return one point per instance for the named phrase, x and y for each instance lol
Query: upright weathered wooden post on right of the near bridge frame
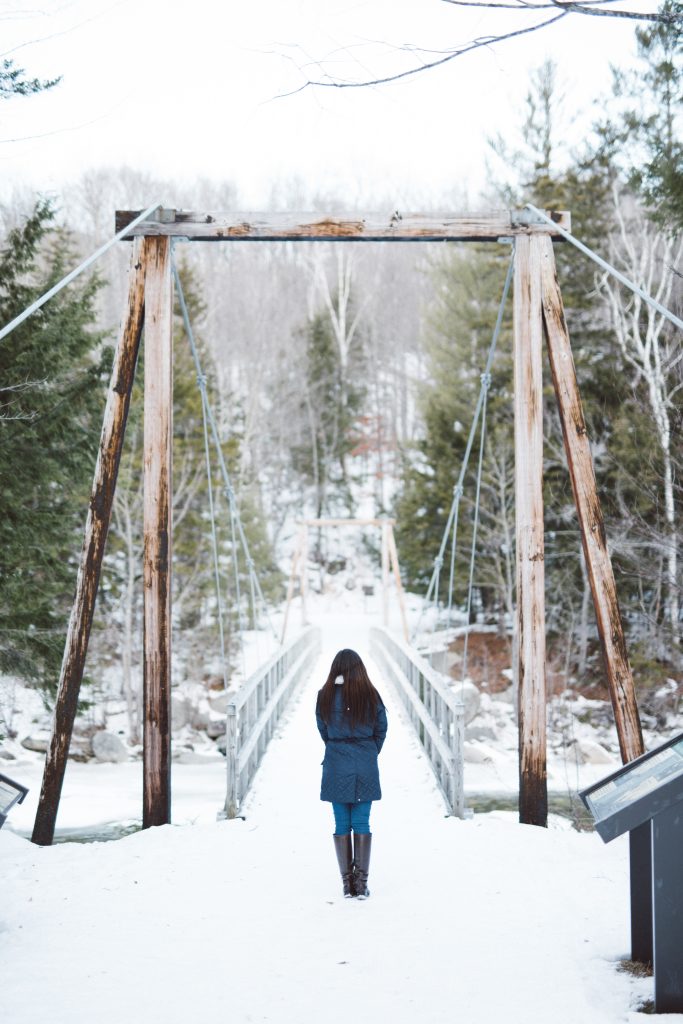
(531, 622)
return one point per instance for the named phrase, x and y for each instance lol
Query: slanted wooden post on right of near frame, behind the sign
(602, 577)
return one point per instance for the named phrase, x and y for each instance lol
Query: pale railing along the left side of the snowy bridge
(257, 709)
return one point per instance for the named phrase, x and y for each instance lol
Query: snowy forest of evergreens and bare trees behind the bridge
(344, 381)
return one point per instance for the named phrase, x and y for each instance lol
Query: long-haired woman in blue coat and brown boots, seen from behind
(353, 722)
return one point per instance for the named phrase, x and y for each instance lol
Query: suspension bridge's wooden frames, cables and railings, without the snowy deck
(538, 314)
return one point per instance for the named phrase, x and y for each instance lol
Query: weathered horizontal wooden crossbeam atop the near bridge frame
(222, 227)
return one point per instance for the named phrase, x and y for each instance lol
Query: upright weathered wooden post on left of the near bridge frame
(157, 557)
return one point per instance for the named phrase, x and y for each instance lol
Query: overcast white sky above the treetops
(187, 89)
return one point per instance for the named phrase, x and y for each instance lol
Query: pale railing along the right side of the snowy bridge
(437, 714)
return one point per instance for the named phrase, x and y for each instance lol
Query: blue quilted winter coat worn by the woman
(350, 770)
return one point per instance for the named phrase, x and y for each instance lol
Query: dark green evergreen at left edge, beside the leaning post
(54, 370)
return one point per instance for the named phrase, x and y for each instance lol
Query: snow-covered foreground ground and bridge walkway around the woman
(473, 922)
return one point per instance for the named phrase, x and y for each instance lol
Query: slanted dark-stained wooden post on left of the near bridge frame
(102, 497)
